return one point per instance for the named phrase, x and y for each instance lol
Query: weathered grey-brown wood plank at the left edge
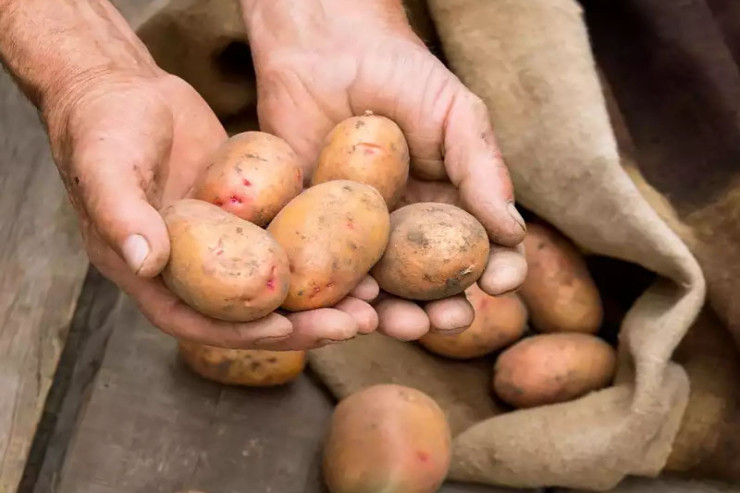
(42, 267)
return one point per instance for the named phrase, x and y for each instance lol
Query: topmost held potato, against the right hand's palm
(368, 149)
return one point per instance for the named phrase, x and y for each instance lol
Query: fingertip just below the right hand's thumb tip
(506, 270)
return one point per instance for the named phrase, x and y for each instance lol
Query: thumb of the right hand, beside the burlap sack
(474, 164)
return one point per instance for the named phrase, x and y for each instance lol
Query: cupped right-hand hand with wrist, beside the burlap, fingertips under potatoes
(328, 60)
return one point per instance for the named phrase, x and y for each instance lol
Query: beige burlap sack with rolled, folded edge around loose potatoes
(532, 63)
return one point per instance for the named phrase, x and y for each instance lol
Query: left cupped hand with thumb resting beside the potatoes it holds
(127, 146)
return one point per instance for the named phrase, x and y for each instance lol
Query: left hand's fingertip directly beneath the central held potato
(315, 328)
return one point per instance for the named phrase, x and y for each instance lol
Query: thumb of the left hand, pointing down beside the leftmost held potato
(115, 201)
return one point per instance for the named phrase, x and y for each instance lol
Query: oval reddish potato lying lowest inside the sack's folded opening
(550, 368)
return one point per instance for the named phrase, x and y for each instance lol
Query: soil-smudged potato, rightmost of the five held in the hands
(434, 251)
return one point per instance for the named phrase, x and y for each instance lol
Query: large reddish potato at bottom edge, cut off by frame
(387, 438)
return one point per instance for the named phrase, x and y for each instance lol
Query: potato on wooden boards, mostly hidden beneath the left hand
(248, 367)
